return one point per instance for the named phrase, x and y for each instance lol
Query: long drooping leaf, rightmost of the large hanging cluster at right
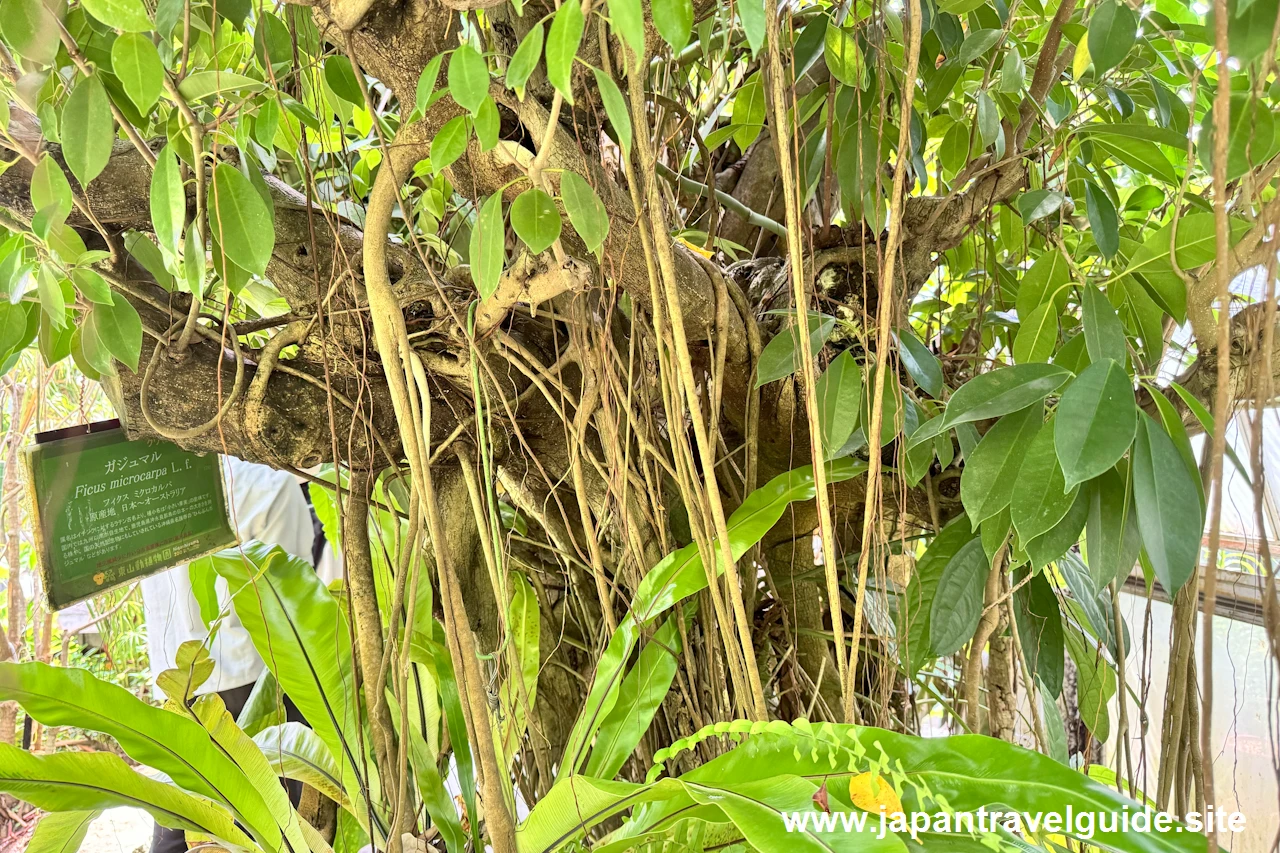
(1169, 507)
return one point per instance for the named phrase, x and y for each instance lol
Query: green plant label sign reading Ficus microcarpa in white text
(109, 510)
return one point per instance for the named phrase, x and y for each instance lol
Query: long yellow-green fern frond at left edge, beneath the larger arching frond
(74, 782)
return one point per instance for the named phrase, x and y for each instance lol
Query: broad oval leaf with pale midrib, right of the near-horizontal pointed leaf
(1098, 421)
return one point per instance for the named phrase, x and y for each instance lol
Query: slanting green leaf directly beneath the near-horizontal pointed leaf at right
(991, 472)
